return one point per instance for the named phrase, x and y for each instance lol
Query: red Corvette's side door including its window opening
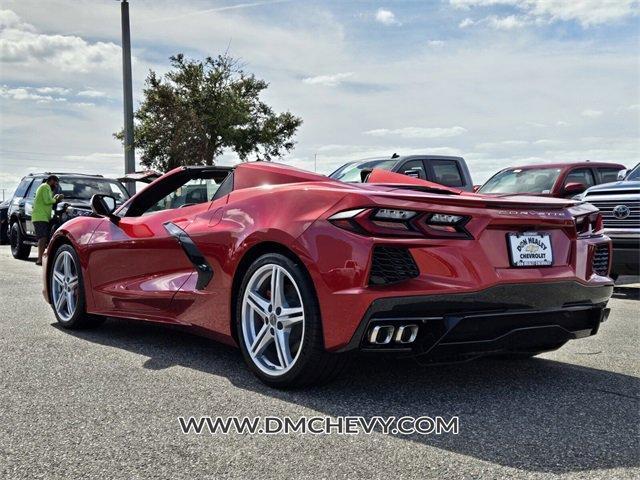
(137, 265)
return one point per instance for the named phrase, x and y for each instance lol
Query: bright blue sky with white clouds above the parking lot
(500, 82)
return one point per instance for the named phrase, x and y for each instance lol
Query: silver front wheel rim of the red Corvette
(64, 285)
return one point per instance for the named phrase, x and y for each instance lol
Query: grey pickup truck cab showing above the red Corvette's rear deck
(448, 171)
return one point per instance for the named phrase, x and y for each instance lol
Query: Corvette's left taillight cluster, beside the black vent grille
(387, 222)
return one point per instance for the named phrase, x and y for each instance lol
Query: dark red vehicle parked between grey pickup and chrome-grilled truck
(563, 180)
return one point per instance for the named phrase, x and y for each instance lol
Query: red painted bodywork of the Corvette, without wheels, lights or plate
(136, 269)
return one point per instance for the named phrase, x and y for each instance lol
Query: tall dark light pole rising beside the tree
(127, 89)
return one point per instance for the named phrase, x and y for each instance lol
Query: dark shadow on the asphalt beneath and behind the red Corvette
(537, 415)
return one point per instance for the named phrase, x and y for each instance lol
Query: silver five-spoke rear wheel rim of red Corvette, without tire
(273, 320)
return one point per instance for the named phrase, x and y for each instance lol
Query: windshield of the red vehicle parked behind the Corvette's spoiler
(518, 180)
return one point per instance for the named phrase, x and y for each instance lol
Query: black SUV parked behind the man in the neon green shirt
(77, 190)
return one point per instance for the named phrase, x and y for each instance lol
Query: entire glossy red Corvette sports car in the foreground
(298, 269)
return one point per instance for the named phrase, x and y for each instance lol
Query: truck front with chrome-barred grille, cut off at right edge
(619, 203)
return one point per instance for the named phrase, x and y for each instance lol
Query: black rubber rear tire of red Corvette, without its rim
(314, 365)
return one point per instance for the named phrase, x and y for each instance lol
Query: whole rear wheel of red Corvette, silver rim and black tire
(279, 325)
